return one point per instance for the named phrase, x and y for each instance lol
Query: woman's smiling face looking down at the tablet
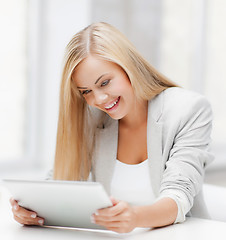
(106, 86)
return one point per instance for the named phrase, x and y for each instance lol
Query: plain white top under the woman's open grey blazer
(131, 183)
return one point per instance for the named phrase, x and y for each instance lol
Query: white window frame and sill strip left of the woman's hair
(51, 24)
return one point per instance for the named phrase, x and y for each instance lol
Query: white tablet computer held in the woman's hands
(61, 203)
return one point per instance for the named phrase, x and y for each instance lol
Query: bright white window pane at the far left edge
(13, 78)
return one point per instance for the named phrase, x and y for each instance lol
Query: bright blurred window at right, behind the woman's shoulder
(193, 54)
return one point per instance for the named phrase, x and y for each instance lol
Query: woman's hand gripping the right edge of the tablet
(121, 217)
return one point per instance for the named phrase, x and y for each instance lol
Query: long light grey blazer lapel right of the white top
(154, 143)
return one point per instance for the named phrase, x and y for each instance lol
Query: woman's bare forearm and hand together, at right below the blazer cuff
(124, 218)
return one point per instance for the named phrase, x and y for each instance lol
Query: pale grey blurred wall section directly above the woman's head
(139, 20)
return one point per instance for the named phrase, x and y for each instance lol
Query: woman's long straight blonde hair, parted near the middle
(76, 131)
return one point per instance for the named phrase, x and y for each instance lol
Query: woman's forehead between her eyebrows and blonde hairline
(91, 68)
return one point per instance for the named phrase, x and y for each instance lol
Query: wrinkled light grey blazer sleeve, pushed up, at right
(184, 170)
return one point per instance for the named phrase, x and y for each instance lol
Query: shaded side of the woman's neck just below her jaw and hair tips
(137, 118)
